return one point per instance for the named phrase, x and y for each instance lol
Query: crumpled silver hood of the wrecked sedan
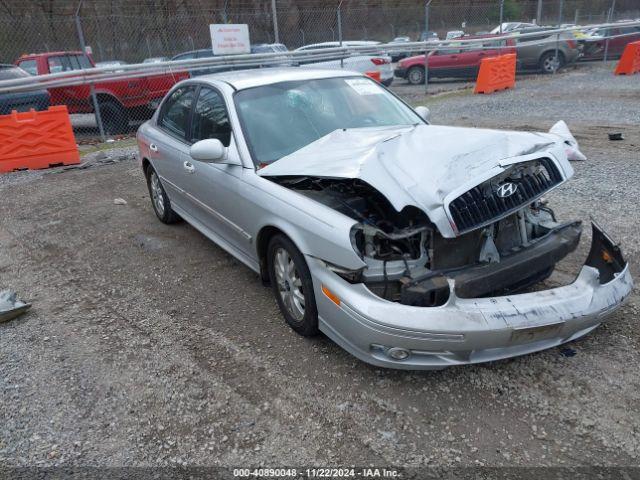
(419, 165)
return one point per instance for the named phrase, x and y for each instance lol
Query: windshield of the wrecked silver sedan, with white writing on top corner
(282, 118)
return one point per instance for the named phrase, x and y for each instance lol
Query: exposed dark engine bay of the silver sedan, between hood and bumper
(410, 262)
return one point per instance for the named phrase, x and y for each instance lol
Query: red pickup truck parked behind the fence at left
(119, 100)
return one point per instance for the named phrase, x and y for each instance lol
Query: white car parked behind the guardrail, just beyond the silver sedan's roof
(356, 62)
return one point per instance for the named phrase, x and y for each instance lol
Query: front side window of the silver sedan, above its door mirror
(210, 119)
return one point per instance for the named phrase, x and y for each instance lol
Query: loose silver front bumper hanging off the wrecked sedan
(466, 331)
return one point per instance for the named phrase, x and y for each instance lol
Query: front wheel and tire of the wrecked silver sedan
(288, 274)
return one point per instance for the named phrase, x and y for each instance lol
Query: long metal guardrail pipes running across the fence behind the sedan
(122, 72)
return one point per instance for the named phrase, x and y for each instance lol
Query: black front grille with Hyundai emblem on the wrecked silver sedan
(481, 205)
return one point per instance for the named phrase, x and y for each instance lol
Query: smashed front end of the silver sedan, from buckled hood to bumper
(451, 248)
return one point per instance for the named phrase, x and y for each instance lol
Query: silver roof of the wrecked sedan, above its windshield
(243, 79)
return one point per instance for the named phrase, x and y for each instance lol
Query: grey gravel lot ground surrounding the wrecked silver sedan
(149, 345)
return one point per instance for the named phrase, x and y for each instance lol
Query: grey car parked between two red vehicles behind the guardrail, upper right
(539, 51)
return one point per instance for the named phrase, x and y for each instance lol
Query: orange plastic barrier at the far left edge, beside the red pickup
(34, 140)
